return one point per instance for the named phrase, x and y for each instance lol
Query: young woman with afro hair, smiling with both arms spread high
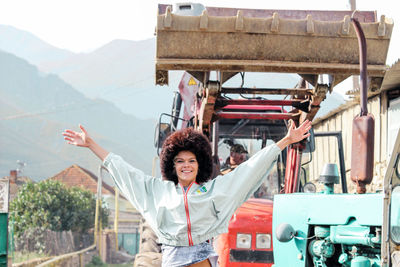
(185, 208)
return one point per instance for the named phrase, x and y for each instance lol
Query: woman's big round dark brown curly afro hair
(186, 140)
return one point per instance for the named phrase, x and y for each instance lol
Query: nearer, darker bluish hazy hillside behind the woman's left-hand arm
(35, 108)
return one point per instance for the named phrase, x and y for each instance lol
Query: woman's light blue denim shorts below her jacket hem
(187, 255)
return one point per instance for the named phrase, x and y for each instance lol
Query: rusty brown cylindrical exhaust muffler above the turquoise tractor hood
(362, 153)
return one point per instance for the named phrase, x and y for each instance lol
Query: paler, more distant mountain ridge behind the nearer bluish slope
(122, 72)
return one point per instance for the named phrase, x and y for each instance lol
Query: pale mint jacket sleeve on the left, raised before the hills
(137, 187)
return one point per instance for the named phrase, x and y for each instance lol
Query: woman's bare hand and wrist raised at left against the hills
(83, 139)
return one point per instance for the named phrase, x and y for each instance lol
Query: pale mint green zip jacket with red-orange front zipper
(188, 218)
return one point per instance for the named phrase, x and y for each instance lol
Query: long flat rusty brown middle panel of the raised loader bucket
(287, 46)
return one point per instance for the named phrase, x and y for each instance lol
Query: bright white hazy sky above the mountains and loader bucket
(84, 25)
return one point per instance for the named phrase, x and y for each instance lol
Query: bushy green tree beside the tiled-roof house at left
(50, 205)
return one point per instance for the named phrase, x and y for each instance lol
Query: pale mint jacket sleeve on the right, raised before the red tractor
(236, 187)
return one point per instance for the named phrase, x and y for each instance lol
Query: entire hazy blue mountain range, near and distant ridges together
(111, 91)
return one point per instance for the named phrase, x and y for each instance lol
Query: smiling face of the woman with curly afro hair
(186, 167)
